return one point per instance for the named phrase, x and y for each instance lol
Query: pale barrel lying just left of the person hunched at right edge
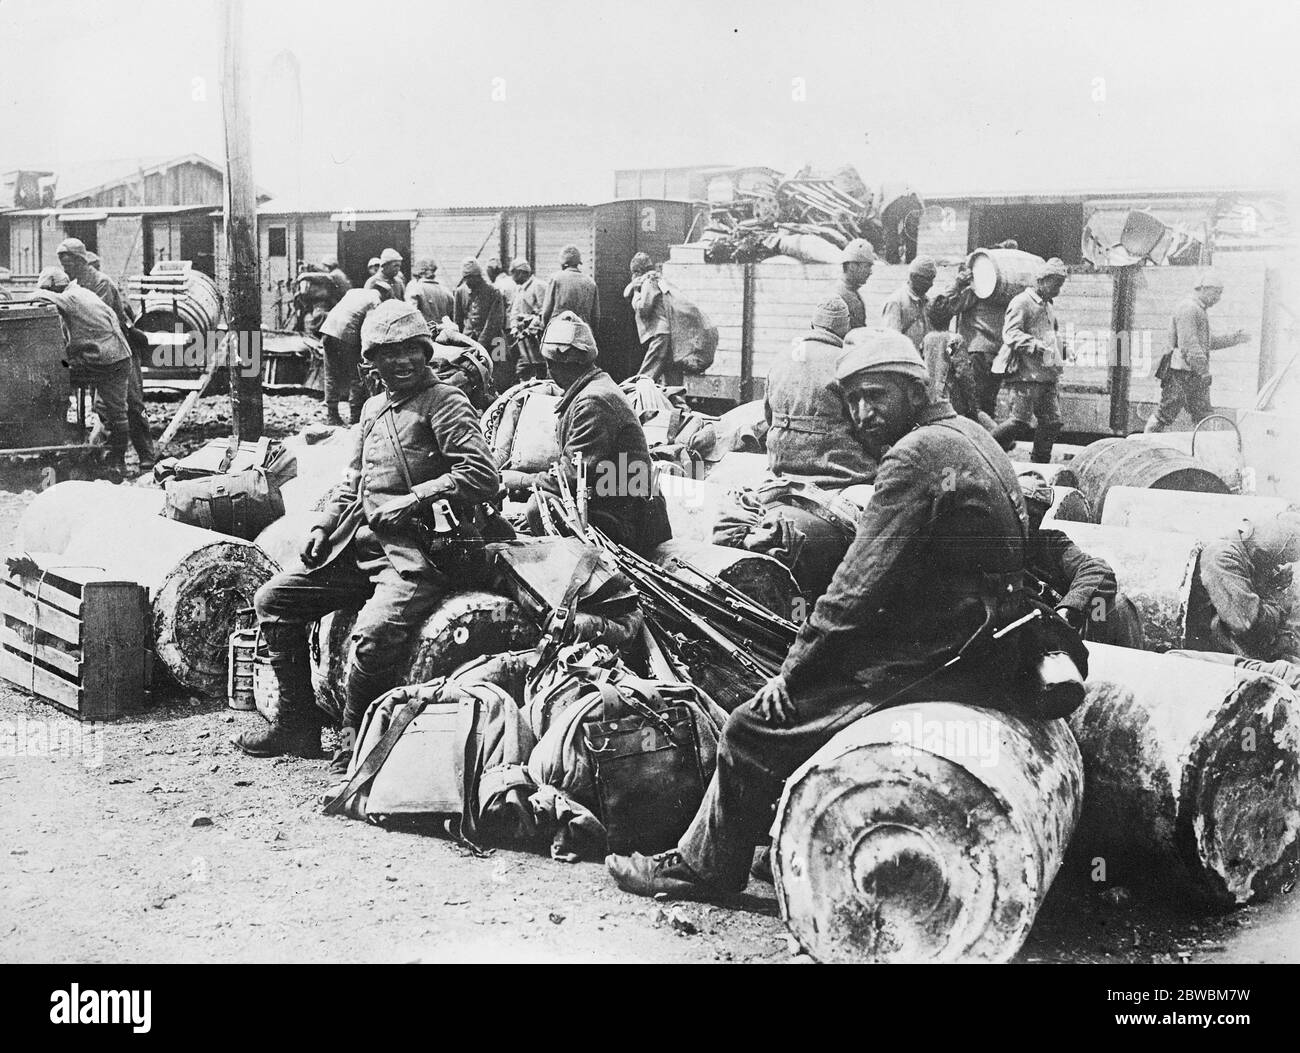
(1155, 570)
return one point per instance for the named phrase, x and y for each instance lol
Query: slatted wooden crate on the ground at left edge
(76, 639)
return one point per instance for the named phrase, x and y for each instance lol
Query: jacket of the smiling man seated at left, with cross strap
(448, 458)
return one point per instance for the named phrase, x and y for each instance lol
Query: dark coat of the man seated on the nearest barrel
(939, 548)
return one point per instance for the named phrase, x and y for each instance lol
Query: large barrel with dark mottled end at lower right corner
(1194, 777)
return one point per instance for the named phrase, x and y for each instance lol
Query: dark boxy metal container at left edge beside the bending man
(34, 392)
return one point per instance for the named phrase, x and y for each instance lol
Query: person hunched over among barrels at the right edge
(1247, 579)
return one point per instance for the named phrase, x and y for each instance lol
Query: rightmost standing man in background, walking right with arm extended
(1185, 371)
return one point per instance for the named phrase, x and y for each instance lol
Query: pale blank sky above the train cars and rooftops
(365, 105)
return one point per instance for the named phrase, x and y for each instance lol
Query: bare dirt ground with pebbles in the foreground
(158, 840)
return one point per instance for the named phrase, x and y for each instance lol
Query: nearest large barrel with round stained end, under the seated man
(926, 834)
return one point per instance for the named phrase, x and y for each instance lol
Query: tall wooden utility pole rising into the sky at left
(242, 292)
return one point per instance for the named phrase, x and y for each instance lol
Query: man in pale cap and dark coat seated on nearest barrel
(937, 567)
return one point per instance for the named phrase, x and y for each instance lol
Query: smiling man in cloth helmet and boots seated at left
(367, 544)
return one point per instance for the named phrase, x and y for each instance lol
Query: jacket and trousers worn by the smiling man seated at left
(385, 567)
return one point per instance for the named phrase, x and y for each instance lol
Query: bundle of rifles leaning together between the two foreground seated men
(707, 631)
